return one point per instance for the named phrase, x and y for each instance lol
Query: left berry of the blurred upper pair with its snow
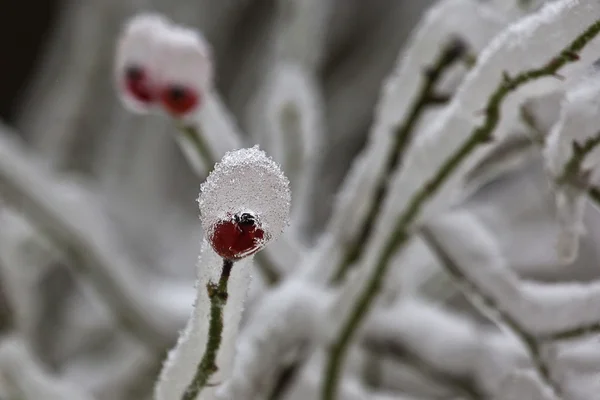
(136, 60)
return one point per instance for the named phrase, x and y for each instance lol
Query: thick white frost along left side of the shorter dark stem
(476, 24)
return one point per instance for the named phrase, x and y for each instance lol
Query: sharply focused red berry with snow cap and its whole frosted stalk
(244, 203)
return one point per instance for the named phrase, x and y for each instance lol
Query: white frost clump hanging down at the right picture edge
(579, 123)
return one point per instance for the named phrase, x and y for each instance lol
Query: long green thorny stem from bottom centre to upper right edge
(481, 135)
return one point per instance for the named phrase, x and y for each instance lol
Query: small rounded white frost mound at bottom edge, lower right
(521, 385)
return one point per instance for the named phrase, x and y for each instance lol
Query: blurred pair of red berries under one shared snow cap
(162, 65)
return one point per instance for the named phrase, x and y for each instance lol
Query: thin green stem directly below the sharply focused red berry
(217, 293)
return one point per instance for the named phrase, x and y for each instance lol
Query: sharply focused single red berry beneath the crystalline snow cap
(237, 237)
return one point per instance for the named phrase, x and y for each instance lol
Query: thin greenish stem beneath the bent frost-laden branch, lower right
(530, 342)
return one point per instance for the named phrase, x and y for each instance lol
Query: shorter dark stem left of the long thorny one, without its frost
(451, 53)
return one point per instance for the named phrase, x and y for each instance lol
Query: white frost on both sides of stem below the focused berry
(181, 363)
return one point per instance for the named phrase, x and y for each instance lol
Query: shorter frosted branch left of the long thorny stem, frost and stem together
(474, 24)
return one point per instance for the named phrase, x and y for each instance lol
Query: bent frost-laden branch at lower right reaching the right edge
(535, 312)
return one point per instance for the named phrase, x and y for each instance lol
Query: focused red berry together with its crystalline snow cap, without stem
(244, 183)
